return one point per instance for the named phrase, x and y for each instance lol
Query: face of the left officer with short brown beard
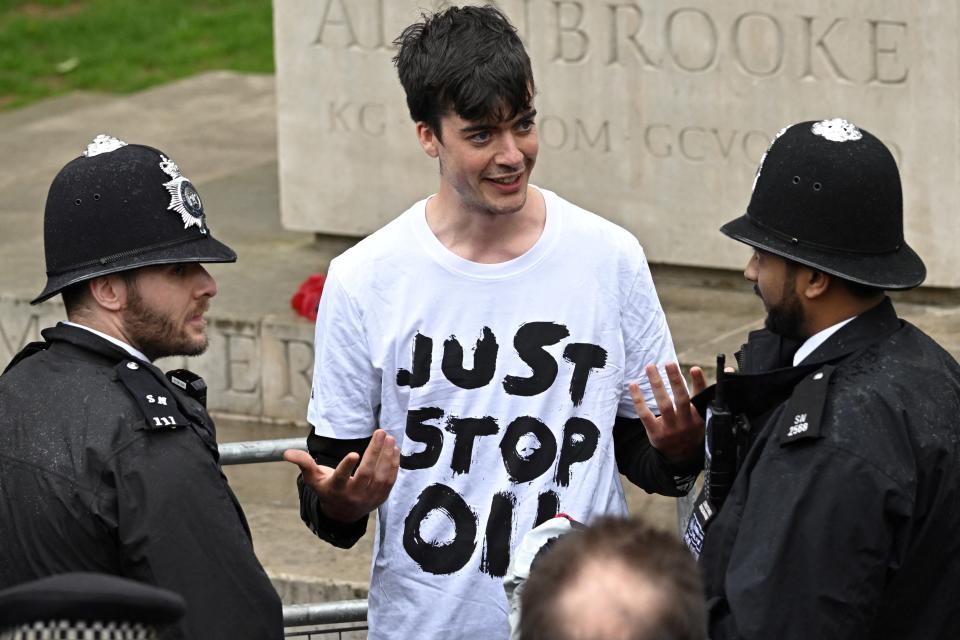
(165, 307)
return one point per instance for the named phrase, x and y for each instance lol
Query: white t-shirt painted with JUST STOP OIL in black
(501, 383)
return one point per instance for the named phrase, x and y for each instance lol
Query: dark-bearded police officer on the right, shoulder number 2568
(843, 520)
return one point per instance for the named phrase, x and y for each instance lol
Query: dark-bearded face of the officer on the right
(774, 282)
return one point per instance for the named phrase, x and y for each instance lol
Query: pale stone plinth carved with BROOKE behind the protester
(653, 114)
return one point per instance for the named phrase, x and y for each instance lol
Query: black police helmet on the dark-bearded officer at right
(827, 195)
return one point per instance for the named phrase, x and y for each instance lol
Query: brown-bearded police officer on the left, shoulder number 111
(106, 464)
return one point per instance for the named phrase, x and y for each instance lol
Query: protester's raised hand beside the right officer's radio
(678, 432)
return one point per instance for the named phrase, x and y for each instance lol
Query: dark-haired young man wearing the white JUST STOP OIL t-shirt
(490, 331)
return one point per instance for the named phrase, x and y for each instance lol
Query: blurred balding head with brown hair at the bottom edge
(618, 579)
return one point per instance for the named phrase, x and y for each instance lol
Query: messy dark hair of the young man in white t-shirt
(466, 59)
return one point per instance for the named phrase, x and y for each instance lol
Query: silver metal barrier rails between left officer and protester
(341, 619)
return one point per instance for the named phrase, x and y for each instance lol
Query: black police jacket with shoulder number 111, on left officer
(105, 466)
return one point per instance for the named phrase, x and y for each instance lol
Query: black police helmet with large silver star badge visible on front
(121, 206)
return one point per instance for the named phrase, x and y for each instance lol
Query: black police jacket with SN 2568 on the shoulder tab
(844, 519)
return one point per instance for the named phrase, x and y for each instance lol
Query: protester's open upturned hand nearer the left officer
(347, 497)
